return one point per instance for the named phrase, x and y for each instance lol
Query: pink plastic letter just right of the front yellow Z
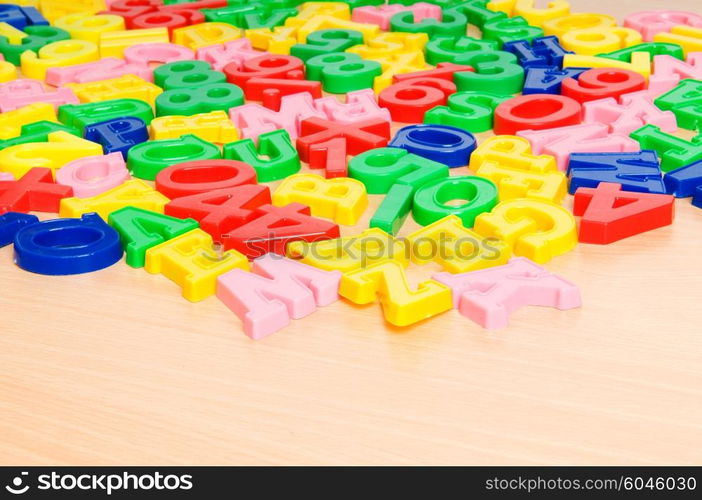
(489, 296)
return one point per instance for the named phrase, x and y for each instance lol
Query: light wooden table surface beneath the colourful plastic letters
(114, 367)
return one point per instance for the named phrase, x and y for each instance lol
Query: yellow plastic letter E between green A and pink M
(191, 261)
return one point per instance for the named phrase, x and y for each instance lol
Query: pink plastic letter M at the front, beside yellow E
(281, 289)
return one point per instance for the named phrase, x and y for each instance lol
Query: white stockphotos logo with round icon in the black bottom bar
(105, 483)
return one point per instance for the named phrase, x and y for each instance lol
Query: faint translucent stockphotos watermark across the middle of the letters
(368, 249)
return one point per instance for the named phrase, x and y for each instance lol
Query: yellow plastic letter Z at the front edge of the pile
(387, 282)
